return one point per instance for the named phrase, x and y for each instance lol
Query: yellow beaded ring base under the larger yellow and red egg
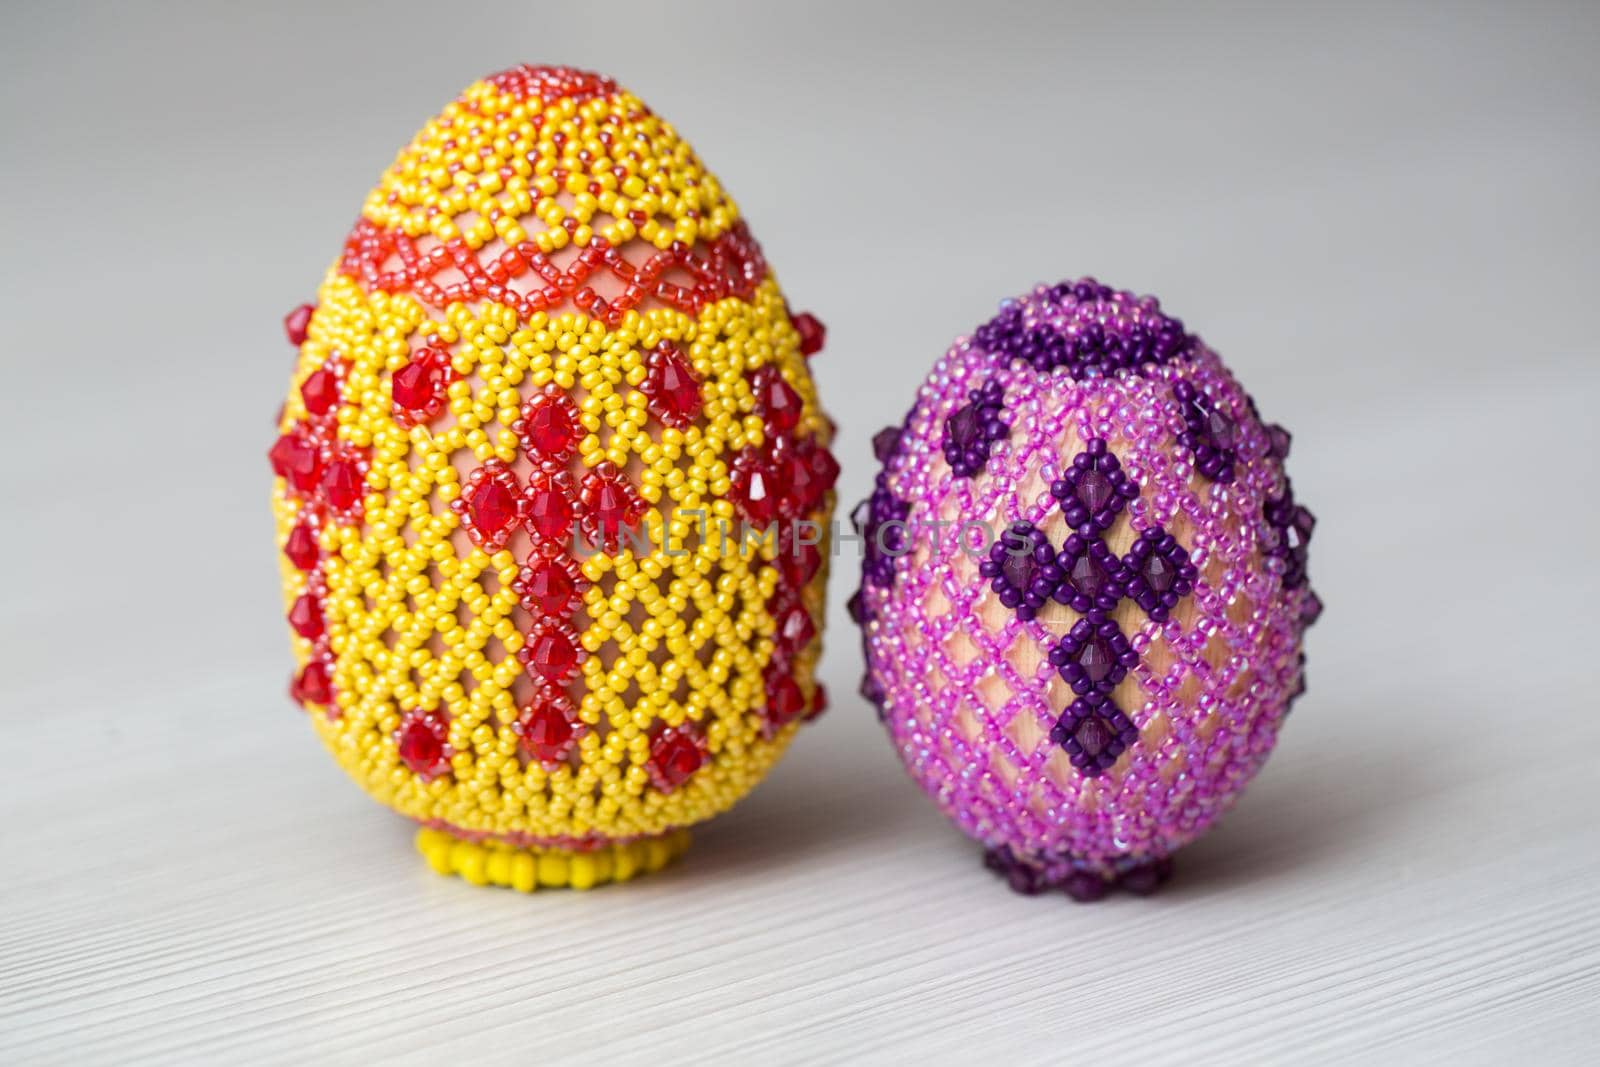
(529, 869)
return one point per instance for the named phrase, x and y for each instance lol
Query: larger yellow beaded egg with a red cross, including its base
(553, 490)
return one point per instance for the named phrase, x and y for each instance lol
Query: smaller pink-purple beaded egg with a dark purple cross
(1084, 589)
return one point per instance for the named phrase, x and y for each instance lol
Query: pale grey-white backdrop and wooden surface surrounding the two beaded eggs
(1383, 217)
